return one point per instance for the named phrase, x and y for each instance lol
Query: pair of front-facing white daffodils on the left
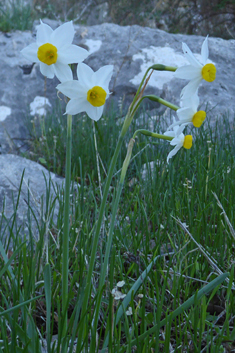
(54, 52)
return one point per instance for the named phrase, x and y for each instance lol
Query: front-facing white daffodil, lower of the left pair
(88, 93)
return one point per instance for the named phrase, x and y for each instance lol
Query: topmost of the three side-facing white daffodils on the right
(195, 72)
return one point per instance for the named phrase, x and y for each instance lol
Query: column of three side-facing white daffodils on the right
(188, 113)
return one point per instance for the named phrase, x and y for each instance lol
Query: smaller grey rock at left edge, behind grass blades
(24, 196)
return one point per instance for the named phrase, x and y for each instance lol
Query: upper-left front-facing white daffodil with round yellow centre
(54, 50)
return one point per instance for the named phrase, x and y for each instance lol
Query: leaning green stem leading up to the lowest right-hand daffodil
(110, 238)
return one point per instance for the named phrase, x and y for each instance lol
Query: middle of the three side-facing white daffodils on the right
(188, 113)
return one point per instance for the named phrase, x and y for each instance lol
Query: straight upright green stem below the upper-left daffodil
(65, 249)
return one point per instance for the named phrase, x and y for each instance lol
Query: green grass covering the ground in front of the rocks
(145, 229)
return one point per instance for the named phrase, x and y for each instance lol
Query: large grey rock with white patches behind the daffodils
(131, 50)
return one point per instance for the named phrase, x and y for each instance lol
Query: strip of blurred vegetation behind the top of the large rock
(176, 16)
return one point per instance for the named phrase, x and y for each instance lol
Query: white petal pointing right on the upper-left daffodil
(73, 54)
